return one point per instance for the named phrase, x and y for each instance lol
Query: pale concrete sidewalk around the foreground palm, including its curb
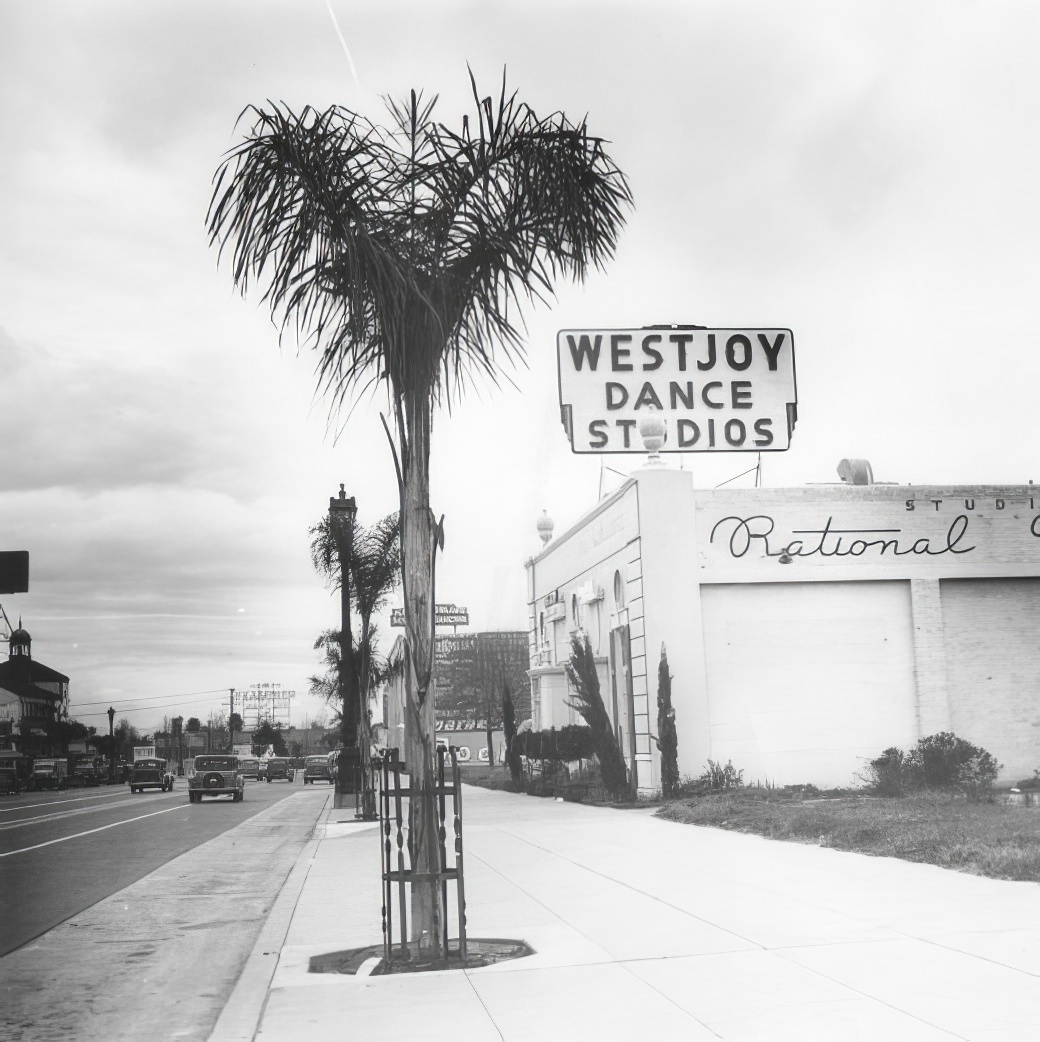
(642, 926)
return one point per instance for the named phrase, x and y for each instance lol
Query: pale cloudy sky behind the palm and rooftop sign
(863, 173)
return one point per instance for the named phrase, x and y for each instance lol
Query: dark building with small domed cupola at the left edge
(34, 699)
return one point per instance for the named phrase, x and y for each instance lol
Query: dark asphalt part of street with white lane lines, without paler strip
(62, 853)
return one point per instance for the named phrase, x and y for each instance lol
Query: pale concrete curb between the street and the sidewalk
(240, 1020)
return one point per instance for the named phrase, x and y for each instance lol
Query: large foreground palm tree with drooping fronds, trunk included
(401, 256)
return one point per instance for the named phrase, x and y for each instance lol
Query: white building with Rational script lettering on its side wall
(807, 630)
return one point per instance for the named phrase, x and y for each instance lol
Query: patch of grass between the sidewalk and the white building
(988, 838)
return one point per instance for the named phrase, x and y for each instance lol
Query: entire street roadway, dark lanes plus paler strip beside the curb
(159, 958)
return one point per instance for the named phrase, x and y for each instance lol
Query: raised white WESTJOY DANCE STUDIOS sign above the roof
(717, 390)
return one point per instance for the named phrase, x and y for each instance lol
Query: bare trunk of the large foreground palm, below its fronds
(418, 548)
